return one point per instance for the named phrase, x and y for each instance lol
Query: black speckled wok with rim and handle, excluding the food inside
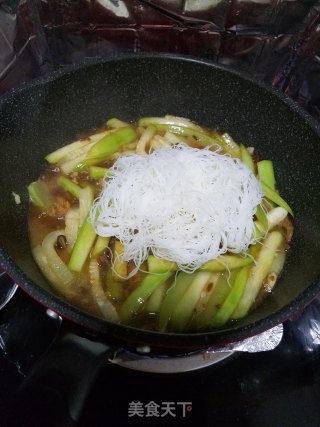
(42, 115)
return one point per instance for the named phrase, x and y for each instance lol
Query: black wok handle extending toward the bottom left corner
(54, 391)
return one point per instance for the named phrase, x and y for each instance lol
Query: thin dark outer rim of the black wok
(194, 340)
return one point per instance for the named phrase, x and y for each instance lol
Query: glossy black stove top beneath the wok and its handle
(275, 388)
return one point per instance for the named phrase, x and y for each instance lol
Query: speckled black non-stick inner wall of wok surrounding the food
(47, 113)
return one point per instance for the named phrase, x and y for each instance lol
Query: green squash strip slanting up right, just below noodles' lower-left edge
(137, 298)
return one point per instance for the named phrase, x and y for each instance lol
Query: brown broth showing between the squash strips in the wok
(41, 223)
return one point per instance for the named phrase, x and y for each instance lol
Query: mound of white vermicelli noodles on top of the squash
(182, 204)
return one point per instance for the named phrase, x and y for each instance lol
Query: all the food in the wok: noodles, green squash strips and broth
(160, 224)
